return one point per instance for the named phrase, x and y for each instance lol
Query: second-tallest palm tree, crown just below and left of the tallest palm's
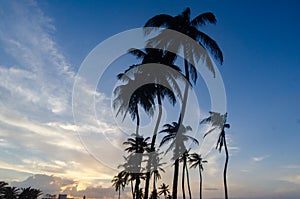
(164, 79)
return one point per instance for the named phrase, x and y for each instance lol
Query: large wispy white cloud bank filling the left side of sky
(37, 128)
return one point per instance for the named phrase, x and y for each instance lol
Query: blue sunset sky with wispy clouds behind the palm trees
(49, 142)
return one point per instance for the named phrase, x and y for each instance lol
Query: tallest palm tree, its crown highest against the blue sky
(184, 24)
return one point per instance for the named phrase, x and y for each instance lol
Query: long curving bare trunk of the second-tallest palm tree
(153, 144)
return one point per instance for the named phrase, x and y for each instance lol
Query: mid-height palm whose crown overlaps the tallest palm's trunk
(176, 134)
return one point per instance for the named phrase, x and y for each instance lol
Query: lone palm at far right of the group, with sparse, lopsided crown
(218, 122)
